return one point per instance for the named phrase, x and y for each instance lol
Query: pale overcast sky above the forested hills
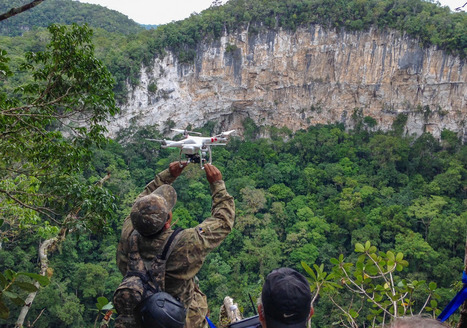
(164, 11)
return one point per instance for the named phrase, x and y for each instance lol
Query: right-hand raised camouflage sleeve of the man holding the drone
(196, 243)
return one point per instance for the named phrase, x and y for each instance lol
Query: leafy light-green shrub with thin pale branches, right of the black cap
(375, 278)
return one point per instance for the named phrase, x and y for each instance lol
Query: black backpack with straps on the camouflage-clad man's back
(140, 284)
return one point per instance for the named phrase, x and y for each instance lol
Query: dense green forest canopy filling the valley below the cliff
(308, 199)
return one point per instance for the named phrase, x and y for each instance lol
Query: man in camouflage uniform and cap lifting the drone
(152, 218)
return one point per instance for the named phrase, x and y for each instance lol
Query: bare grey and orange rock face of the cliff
(297, 79)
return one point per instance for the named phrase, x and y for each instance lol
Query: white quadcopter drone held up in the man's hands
(196, 147)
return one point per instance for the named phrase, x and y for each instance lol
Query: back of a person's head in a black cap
(285, 300)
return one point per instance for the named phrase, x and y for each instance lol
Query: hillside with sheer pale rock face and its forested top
(389, 63)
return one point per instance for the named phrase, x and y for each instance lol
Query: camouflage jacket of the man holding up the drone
(190, 250)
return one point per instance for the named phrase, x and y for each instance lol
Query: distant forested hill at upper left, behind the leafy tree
(65, 12)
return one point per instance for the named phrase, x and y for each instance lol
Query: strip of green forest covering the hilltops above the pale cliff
(123, 45)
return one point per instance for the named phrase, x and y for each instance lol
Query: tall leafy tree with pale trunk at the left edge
(48, 127)
